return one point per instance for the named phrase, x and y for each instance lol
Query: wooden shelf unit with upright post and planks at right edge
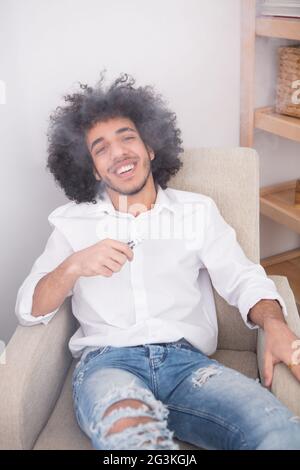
(277, 201)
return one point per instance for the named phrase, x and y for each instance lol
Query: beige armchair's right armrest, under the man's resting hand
(284, 385)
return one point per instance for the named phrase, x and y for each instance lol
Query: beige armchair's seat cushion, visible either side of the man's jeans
(63, 433)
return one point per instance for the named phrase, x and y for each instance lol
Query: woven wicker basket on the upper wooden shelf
(288, 82)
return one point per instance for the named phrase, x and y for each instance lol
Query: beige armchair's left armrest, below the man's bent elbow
(36, 361)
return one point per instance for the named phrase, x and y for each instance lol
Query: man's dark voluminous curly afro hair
(68, 157)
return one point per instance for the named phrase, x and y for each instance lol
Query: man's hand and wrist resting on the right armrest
(281, 344)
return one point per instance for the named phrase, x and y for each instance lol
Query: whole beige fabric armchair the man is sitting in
(36, 410)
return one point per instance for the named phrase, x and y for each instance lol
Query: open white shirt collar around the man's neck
(162, 201)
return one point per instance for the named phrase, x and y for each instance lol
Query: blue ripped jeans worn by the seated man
(184, 394)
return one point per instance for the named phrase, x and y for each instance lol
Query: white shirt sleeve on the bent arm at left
(57, 249)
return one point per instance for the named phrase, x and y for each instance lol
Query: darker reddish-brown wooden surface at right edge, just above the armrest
(286, 264)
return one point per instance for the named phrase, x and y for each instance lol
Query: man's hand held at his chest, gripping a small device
(104, 258)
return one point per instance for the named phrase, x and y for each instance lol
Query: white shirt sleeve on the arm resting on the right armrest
(238, 280)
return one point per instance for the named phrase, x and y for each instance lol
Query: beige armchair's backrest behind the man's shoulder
(230, 176)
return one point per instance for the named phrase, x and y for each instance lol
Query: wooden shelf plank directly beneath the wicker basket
(284, 126)
